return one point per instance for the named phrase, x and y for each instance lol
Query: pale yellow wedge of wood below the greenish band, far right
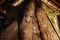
(54, 21)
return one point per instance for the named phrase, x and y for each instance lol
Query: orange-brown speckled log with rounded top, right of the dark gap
(46, 28)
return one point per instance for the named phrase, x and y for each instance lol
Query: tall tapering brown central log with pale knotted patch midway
(27, 22)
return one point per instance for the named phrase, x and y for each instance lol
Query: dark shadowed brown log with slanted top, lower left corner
(10, 32)
